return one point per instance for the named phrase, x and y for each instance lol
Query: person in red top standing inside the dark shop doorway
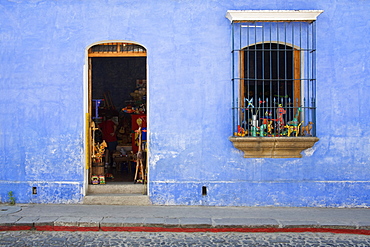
(108, 128)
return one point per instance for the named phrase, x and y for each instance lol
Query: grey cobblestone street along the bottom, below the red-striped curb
(42, 238)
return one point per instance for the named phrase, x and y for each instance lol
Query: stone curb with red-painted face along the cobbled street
(181, 224)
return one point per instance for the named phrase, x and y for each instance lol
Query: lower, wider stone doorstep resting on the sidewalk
(117, 199)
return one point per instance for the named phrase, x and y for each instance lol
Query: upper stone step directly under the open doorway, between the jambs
(116, 188)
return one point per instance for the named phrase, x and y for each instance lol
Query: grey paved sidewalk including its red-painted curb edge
(182, 218)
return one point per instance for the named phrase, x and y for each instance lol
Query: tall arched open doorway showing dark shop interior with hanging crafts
(117, 113)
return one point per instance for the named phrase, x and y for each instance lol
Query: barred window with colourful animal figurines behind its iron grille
(274, 78)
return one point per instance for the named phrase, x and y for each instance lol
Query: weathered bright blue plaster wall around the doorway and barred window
(42, 57)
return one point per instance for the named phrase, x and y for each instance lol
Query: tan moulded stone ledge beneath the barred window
(273, 147)
